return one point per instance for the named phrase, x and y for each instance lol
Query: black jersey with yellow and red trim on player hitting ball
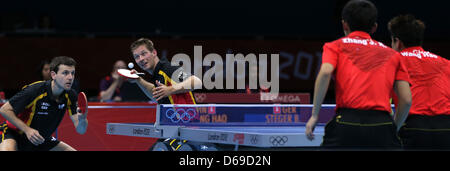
(169, 75)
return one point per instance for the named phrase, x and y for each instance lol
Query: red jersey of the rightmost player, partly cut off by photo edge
(430, 81)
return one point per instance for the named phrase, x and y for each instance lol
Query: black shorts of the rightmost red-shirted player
(426, 132)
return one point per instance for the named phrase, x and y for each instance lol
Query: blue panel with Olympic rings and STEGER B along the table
(219, 115)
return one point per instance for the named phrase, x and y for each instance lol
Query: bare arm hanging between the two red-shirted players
(403, 92)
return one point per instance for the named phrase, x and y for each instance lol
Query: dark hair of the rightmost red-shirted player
(408, 29)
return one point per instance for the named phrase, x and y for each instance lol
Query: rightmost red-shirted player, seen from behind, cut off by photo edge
(428, 123)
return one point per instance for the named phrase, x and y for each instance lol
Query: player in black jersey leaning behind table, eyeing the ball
(167, 84)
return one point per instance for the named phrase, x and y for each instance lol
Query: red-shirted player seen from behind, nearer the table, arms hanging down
(366, 71)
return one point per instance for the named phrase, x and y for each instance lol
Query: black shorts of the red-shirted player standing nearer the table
(361, 129)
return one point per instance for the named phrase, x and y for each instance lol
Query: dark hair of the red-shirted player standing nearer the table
(360, 15)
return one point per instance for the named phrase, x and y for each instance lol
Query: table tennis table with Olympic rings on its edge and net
(206, 127)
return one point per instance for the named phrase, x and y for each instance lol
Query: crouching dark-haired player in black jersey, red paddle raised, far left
(36, 111)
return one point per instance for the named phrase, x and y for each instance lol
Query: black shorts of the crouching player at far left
(23, 144)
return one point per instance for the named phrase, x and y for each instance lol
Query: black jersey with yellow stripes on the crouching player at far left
(37, 108)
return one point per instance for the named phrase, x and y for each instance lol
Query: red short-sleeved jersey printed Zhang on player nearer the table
(365, 71)
